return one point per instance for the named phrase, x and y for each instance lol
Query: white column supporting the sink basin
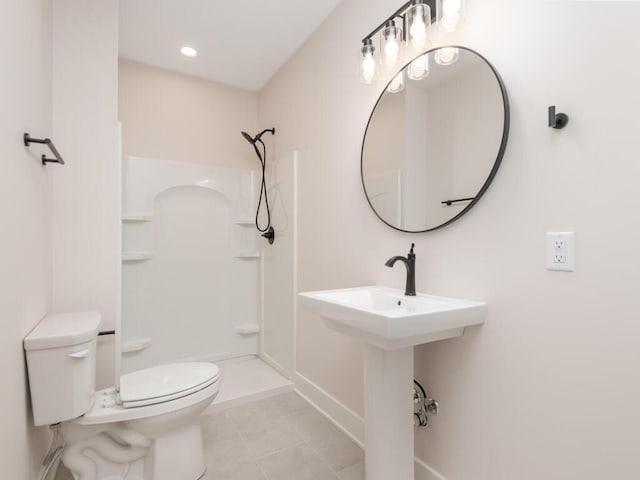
(388, 412)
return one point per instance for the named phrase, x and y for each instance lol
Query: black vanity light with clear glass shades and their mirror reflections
(416, 18)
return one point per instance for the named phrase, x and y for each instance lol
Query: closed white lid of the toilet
(165, 382)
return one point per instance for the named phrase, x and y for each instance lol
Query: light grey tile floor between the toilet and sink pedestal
(278, 438)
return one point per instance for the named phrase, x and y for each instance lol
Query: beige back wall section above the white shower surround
(172, 116)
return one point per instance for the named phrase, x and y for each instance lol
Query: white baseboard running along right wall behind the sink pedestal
(348, 421)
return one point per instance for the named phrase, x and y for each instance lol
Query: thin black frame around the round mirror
(496, 165)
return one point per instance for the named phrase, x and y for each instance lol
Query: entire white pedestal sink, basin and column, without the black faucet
(391, 324)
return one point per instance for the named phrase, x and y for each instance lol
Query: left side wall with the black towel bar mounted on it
(25, 210)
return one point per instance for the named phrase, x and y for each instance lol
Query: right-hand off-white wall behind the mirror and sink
(548, 387)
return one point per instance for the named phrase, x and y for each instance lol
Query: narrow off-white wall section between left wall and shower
(86, 193)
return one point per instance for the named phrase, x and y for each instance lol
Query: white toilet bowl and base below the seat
(161, 441)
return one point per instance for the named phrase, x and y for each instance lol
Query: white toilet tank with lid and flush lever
(61, 363)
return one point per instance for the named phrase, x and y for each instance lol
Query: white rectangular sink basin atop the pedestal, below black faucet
(388, 319)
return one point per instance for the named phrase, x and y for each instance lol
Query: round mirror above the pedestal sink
(435, 139)
